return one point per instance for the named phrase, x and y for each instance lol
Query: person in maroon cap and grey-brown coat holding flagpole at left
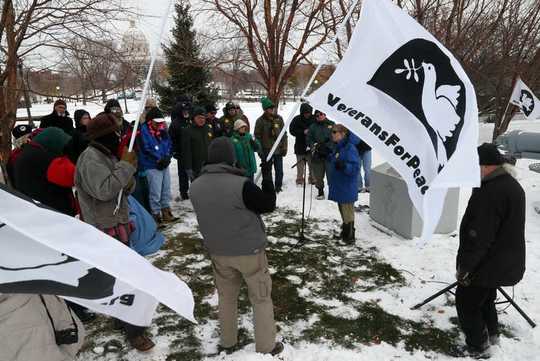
(99, 178)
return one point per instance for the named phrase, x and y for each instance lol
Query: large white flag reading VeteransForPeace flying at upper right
(405, 94)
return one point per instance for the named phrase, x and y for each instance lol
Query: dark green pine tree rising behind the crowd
(188, 73)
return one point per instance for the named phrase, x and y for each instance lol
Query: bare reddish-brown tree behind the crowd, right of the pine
(278, 34)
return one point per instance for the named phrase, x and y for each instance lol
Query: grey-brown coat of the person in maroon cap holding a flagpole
(99, 179)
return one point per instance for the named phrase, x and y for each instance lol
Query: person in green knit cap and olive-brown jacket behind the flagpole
(267, 129)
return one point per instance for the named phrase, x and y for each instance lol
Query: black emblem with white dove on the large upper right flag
(420, 77)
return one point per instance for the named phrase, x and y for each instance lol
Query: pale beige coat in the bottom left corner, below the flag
(27, 333)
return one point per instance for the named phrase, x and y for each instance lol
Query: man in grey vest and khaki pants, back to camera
(228, 207)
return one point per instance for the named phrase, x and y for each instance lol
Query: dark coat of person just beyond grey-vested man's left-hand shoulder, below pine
(195, 142)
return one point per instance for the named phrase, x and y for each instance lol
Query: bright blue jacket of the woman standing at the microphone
(343, 183)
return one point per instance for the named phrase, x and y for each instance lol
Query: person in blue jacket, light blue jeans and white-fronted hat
(155, 153)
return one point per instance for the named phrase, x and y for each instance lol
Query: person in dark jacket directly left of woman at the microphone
(319, 140)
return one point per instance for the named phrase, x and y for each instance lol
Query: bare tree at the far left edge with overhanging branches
(30, 25)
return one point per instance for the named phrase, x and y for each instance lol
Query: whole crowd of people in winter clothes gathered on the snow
(217, 156)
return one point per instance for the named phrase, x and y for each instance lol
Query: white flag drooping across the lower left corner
(45, 252)
